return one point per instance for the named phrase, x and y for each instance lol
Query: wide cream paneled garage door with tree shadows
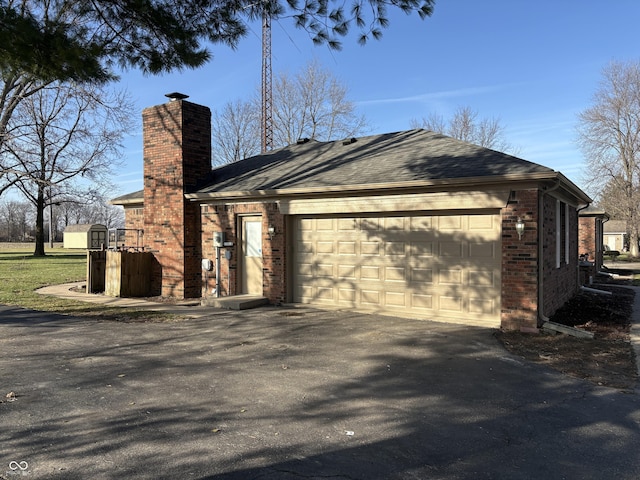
(438, 267)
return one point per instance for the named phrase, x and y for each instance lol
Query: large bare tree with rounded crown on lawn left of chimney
(61, 138)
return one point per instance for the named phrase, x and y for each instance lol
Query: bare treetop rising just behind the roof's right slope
(465, 125)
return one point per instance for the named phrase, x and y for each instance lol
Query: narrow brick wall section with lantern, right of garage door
(520, 262)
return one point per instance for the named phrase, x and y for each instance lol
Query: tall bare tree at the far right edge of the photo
(609, 137)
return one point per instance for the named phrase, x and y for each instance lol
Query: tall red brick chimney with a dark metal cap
(177, 155)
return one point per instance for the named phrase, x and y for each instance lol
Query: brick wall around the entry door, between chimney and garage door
(226, 218)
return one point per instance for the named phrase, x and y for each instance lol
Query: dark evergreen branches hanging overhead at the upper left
(83, 40)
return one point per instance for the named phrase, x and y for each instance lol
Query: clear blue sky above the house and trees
(532, 65)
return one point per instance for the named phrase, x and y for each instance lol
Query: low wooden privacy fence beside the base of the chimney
(123, 274)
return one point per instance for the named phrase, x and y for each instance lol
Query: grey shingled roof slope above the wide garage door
(414, 155)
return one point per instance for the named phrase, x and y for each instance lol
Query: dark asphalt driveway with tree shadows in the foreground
(277, 393)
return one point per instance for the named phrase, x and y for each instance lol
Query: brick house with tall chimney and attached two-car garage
(412, 224)
